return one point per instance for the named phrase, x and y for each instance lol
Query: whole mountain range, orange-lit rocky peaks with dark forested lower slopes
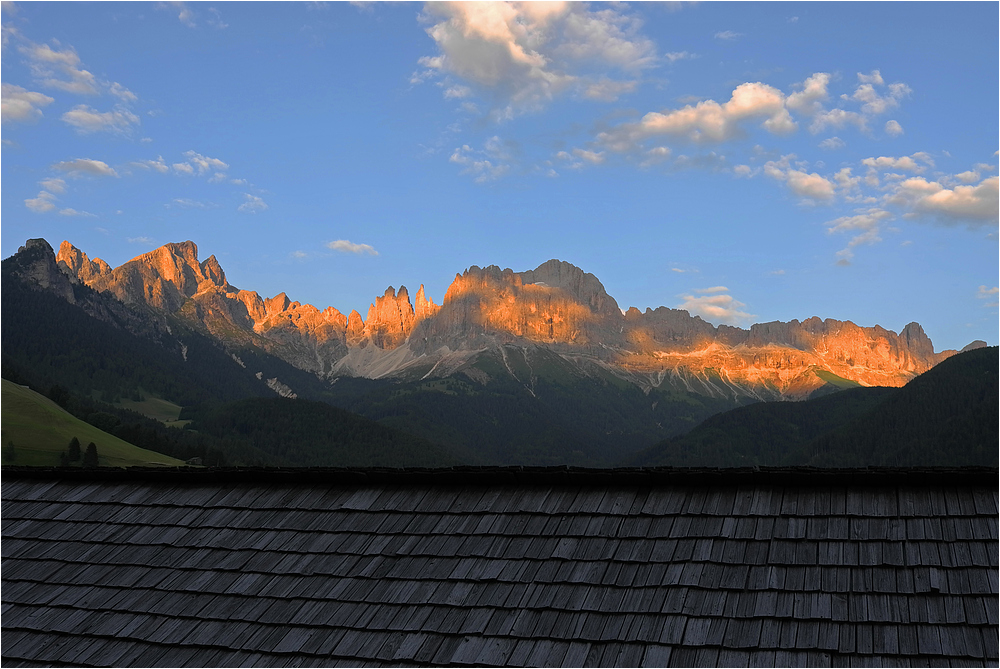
(533, 367)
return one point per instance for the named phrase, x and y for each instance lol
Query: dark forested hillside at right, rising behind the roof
(946, 416)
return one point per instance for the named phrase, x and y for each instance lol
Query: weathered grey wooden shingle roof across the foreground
(505, 567)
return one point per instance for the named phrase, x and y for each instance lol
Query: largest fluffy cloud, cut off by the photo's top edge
(528, 53)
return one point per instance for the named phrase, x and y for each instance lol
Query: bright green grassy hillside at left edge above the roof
(35, 431)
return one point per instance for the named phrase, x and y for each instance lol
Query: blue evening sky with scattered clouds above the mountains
(749, 162)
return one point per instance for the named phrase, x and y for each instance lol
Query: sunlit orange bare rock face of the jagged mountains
(556, 305)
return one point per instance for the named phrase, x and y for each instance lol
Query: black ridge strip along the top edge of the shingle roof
(518, 476)
